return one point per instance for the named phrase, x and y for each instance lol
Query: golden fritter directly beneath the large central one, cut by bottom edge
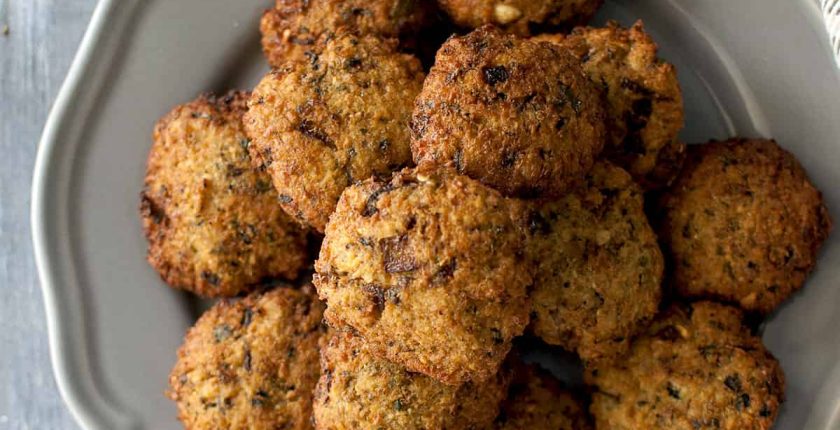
(358, 390)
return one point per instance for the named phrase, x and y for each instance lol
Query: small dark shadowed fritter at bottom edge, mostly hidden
(536, 400)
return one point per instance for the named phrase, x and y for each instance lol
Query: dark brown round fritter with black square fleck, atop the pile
(517, 115)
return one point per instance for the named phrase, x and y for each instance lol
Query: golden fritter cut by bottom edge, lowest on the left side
(251, 363)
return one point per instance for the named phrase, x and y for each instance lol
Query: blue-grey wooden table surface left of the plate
(38, 39)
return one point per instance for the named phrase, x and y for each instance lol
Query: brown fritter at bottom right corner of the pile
(697, 367)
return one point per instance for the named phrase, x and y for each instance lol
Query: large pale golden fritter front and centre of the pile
(429, 269)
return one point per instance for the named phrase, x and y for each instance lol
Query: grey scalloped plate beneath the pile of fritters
(748, 67)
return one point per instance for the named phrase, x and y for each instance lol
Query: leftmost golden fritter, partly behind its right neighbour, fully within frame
(213, 222)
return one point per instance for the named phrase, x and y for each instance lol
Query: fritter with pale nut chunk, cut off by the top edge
(522, 17)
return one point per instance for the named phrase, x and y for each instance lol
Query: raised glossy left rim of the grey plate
(84, 397)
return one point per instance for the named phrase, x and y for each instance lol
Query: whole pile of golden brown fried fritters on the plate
(500, 194)
